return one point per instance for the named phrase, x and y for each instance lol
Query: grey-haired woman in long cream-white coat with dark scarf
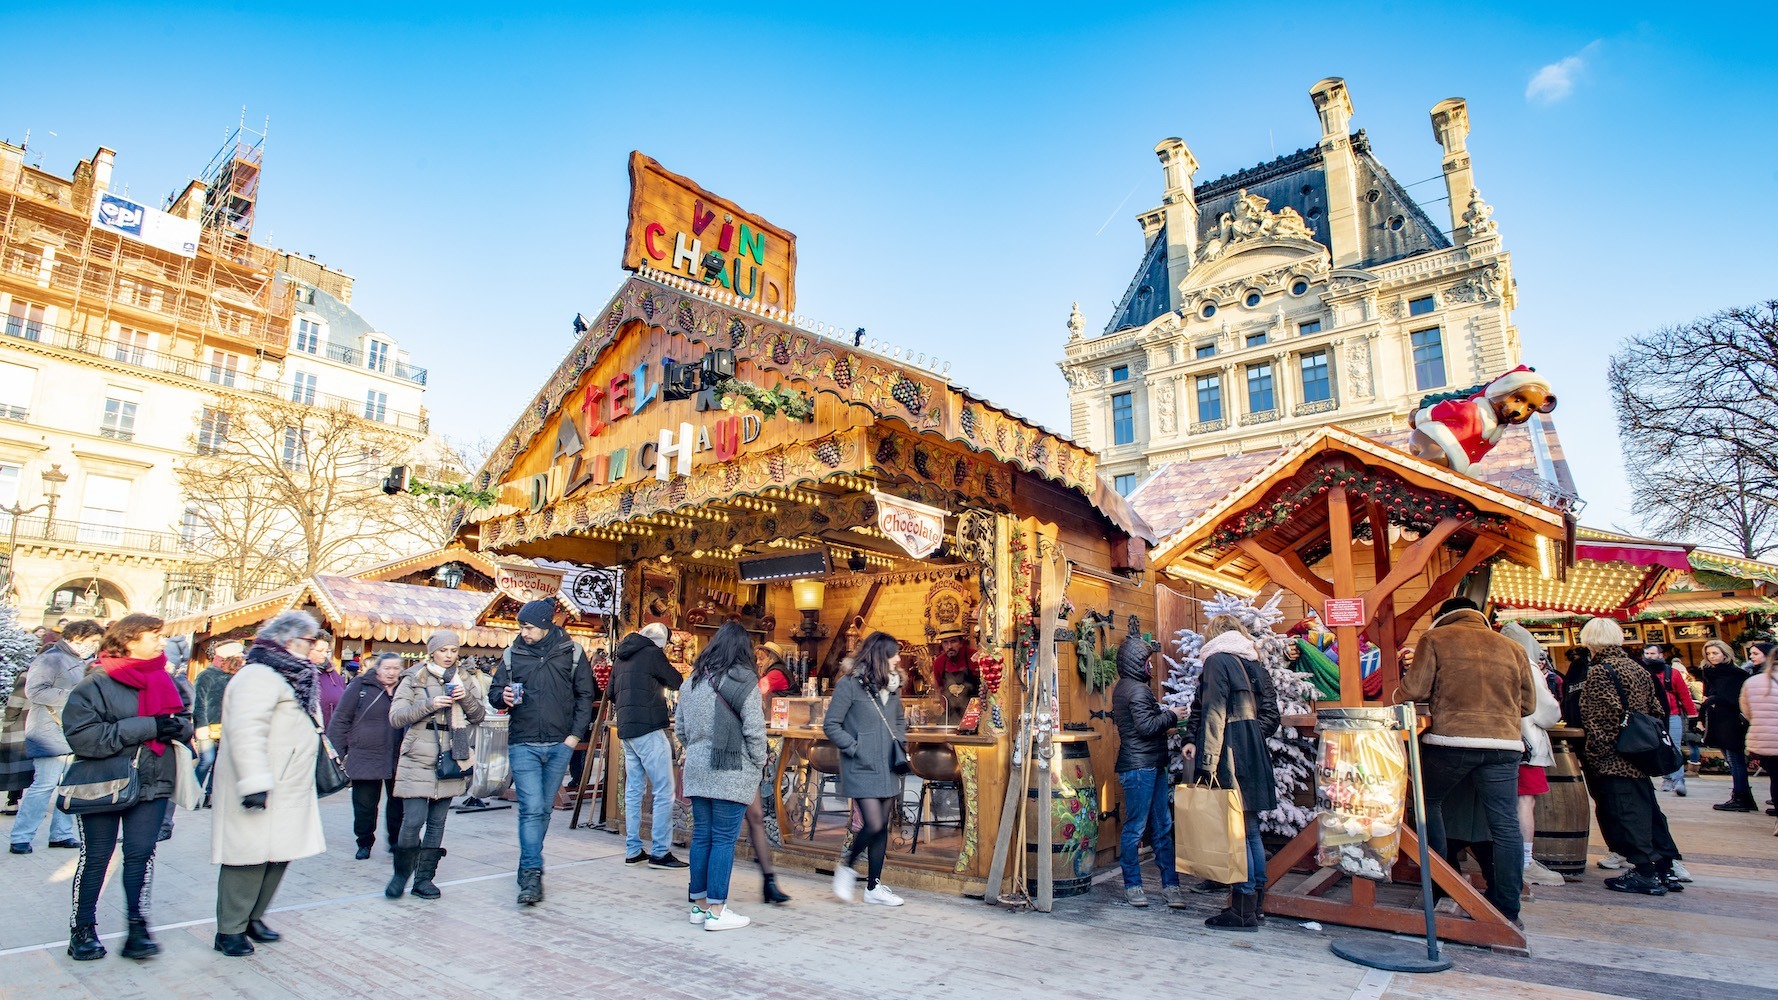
(264, 802)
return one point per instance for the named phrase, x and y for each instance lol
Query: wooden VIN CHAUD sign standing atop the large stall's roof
(677, 225)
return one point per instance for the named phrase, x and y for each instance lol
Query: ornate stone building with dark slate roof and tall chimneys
(1306, 291)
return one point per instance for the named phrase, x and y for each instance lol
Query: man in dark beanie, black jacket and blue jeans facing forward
(545, 684)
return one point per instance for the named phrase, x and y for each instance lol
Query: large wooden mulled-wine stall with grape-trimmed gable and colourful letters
(739, 467)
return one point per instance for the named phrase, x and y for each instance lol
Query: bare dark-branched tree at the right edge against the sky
(1697, 412)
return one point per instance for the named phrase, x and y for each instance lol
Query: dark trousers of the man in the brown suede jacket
(1496, 778)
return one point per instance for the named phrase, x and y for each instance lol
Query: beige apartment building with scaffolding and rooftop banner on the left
(124, 328)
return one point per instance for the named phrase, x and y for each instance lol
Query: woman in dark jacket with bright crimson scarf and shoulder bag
(127, 707)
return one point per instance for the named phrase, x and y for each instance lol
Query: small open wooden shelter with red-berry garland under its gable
(1374, 540)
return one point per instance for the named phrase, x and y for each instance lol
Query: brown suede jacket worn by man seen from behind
(1477, 682)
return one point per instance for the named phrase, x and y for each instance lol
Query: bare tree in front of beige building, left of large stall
(278, 492)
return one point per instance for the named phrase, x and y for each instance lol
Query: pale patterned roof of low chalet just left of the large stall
(401, 613)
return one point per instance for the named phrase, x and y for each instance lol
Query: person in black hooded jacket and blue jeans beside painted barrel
(1142, 727)
